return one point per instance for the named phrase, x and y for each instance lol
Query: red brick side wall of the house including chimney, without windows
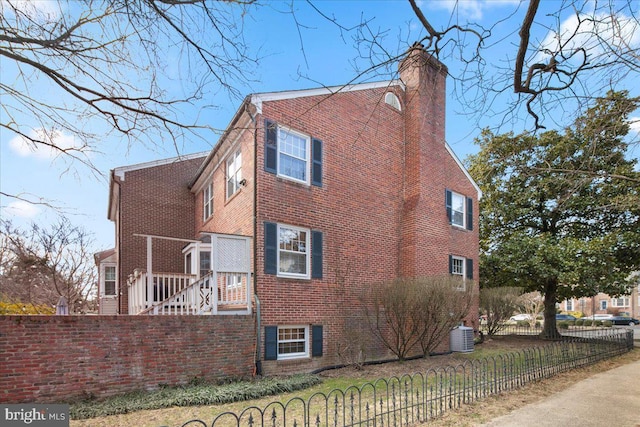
(381, 207)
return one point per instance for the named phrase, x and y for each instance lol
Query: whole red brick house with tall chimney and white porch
(308, 198)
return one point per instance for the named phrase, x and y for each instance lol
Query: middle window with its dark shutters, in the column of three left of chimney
(292, 252)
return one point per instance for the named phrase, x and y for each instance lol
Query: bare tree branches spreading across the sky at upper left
(126, 69)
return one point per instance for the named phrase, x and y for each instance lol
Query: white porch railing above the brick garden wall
(181, 294)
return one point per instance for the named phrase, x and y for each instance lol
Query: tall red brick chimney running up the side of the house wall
(424, 225)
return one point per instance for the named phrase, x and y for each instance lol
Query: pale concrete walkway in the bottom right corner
(610, 398)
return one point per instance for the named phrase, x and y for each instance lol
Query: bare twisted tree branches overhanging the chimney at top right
(532, 64)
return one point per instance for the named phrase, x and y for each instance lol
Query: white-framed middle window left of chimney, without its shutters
(293, 251)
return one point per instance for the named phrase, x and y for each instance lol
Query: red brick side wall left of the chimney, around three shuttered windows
(357, 209)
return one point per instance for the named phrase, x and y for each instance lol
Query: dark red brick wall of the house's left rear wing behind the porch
(155, 200)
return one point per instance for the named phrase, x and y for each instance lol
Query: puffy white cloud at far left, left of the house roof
(45, 150)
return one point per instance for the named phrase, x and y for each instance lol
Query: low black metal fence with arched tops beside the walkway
(417, 398)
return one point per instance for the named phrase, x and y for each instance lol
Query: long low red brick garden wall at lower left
(51, 359)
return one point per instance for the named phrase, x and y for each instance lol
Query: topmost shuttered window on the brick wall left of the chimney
(292, 155)
